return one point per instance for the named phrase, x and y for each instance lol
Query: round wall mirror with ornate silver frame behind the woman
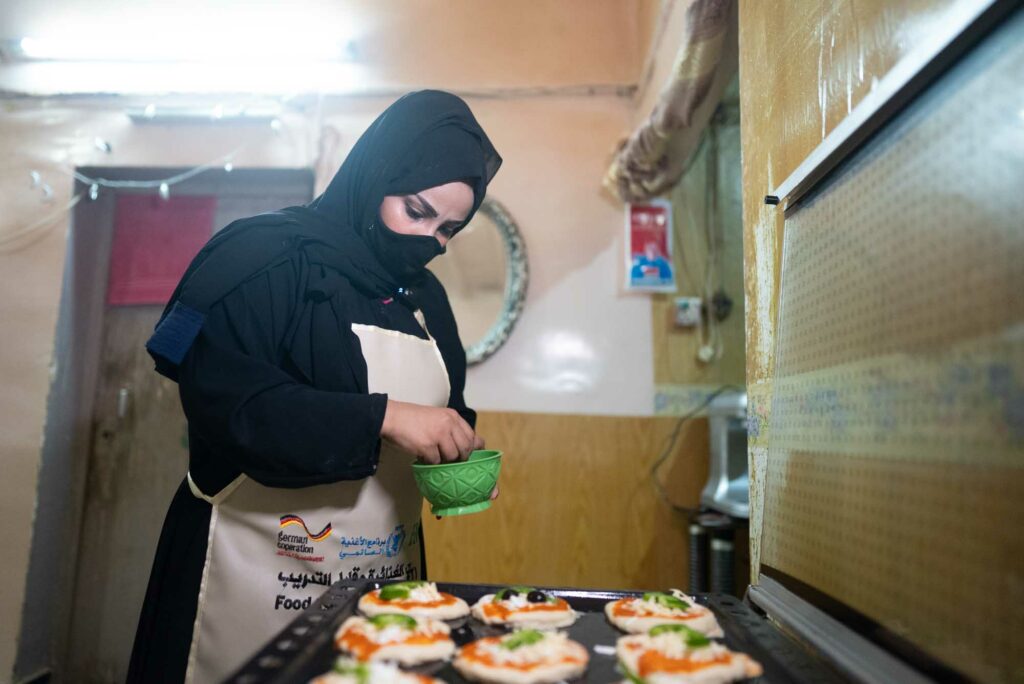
(485, 274)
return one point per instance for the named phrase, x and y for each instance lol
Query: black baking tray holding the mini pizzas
(306, 649)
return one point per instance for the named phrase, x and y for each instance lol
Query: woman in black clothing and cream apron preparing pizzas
(315, 355)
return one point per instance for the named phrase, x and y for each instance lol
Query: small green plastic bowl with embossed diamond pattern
(462, 487)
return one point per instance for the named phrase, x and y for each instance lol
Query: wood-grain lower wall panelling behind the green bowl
(577, 506)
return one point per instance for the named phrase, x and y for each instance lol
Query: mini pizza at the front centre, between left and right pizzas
(526, 657)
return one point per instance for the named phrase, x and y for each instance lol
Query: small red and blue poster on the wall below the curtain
(649, 247)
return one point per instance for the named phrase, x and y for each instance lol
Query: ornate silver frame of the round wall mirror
(517, 280)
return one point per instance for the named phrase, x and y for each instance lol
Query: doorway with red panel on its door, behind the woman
(116, 438)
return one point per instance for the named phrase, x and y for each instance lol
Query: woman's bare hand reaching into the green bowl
(433, 436)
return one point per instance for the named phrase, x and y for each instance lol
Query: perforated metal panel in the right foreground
(895, 478)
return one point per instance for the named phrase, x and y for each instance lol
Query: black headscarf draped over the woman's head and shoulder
(425, 139)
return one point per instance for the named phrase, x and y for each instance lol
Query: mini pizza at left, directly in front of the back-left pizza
(404, 639)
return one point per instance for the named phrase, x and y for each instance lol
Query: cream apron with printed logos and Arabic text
(273, 551)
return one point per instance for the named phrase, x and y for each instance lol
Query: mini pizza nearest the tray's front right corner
(676, 655)
